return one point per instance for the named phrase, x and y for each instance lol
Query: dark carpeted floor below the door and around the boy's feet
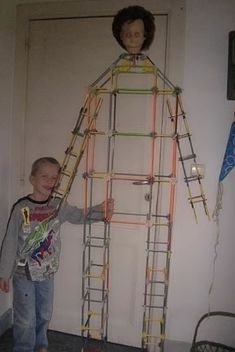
(61, 342)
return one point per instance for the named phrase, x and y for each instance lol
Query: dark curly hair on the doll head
(130, 14)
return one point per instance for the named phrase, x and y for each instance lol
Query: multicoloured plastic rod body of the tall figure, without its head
(109, 84)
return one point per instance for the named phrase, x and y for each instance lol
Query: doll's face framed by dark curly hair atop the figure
(132, 36)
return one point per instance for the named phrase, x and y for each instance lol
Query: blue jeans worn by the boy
(32, 310)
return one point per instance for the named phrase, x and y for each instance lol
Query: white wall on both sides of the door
(210, 114)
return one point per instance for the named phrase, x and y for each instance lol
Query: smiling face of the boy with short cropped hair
(44, 181)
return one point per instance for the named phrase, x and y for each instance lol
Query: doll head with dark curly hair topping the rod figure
(133, 27)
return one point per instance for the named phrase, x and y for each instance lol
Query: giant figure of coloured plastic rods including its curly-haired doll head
(151, 136)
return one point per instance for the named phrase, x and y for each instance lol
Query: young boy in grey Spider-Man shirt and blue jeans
(30, 254)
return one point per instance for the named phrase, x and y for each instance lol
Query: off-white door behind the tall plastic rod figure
(65, 55)
